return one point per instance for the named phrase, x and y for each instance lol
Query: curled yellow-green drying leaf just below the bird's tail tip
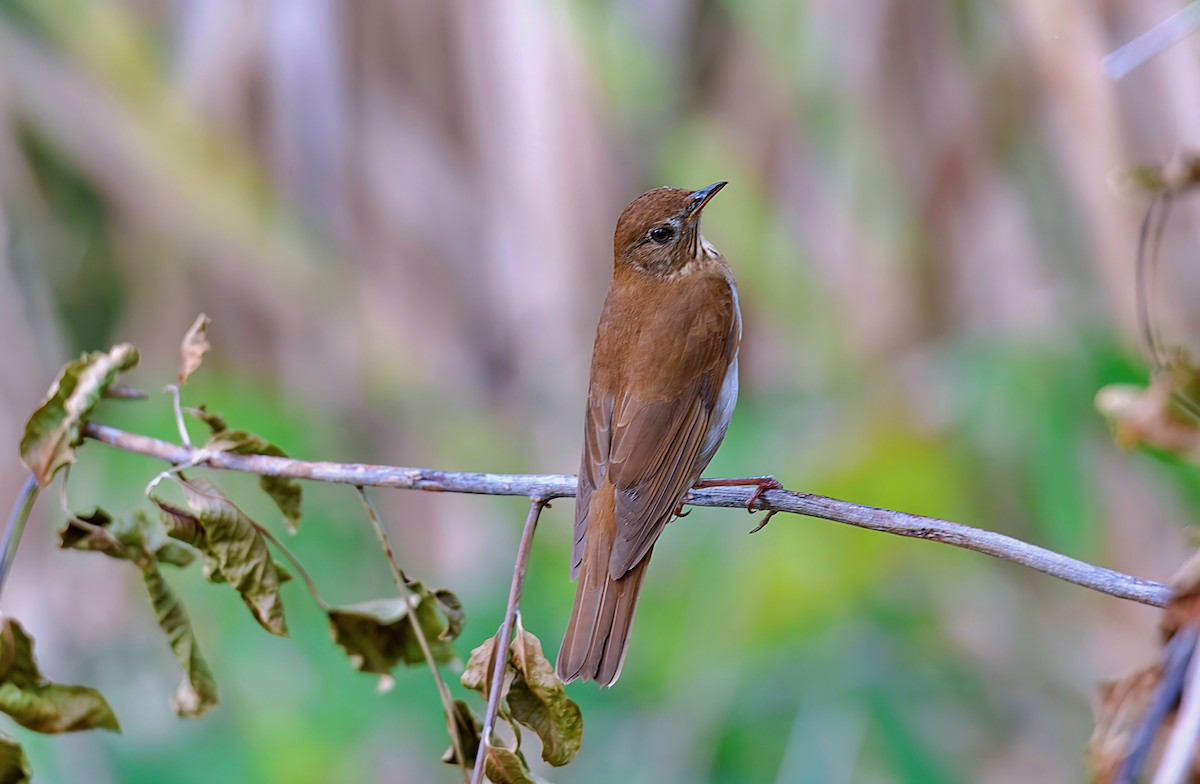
(538, 701)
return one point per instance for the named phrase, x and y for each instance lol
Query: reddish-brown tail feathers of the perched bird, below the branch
(598, 633)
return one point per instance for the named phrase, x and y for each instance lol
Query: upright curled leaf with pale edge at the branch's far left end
(56, 429)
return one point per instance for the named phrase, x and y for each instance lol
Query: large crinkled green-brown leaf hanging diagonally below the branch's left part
(236, 544)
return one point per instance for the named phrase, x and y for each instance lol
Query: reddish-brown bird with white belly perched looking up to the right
(663, 388)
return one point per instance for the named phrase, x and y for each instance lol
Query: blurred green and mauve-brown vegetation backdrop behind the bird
(399, 217)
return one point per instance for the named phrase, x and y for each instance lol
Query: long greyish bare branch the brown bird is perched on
(549, 487)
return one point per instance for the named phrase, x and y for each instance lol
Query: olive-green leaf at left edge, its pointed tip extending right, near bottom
(38, 704)
